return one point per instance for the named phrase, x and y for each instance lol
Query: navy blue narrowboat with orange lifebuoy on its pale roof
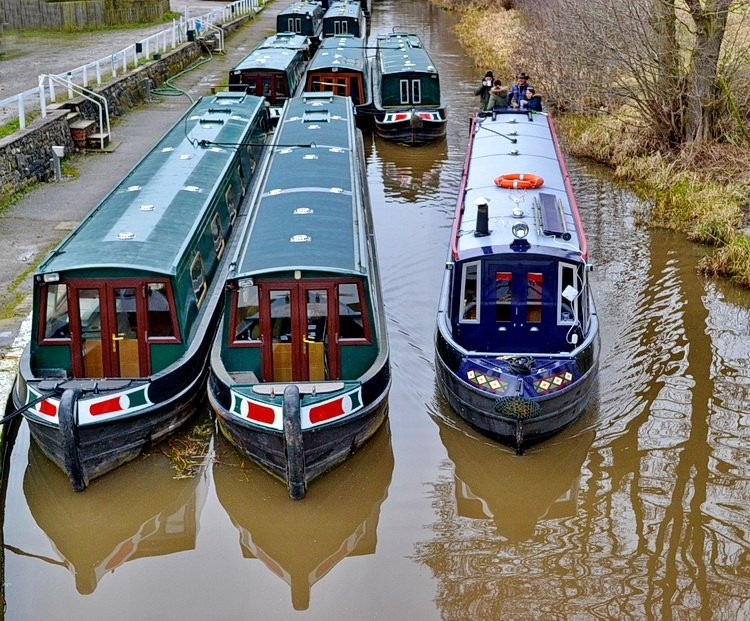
(517, 340)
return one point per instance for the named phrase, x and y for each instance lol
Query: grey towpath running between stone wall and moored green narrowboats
(39, 220)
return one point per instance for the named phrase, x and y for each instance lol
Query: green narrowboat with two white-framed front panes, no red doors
(406, 91)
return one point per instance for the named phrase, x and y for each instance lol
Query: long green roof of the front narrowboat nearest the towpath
(148, 218)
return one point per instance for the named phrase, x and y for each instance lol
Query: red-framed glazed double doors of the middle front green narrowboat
(298, 343)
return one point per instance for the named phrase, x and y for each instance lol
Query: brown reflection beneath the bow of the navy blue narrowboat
(516, 493)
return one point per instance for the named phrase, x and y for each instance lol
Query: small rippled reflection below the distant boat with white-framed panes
(410, 175)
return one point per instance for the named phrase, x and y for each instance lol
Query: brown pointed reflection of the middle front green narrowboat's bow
(287, 537)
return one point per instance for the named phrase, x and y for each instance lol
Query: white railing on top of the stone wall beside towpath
(109, 67)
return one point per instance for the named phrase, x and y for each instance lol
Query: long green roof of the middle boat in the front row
(309, 212)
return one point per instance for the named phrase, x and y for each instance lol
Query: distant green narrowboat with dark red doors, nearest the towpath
(274, 70)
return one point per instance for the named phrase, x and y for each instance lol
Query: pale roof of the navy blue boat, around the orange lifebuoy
(550, 212)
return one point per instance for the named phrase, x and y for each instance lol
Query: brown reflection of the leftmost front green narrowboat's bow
(142, 511)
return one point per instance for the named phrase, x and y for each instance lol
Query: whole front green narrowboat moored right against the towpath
(126, 306)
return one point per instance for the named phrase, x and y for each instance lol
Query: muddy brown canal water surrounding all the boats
(639, 510)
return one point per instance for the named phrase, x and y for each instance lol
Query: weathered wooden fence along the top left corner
(79, 14)
